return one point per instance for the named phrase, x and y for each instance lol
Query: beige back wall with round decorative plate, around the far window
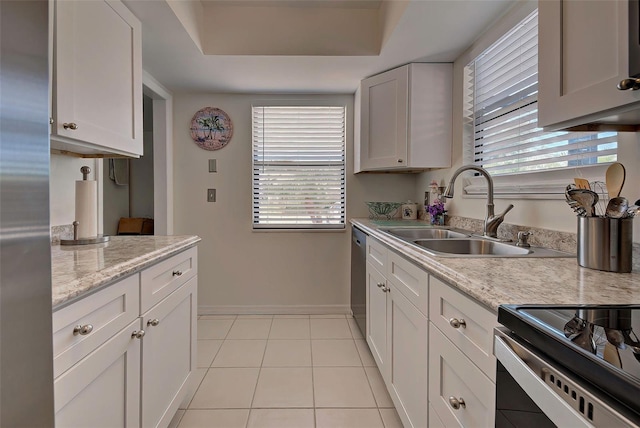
(242, 271)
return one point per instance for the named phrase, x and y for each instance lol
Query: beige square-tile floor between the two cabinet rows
(285, 371)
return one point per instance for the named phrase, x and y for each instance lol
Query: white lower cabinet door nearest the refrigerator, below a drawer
(103, 389)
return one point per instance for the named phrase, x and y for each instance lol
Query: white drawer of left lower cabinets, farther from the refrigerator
(162, 279)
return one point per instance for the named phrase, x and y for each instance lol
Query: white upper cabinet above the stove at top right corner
(583, 55)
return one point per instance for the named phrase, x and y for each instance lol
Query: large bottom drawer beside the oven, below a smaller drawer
(453, 376)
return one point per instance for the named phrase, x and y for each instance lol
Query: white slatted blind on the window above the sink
(502, 85)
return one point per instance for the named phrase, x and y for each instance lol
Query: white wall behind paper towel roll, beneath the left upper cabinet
(65, 171)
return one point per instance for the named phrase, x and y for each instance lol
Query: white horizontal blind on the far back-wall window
(299, 167)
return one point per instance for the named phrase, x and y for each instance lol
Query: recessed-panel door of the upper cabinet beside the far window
(384, 120)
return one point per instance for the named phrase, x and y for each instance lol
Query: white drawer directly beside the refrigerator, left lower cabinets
(106, 311)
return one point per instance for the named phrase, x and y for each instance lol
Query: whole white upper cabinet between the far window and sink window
(405, 119)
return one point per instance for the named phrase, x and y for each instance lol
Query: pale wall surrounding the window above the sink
(547, 214)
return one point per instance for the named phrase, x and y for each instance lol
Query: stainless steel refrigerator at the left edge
(26, 363)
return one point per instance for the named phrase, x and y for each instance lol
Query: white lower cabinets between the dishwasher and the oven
(431, 342)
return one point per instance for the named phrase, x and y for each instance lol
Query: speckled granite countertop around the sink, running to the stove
(496, 281)
